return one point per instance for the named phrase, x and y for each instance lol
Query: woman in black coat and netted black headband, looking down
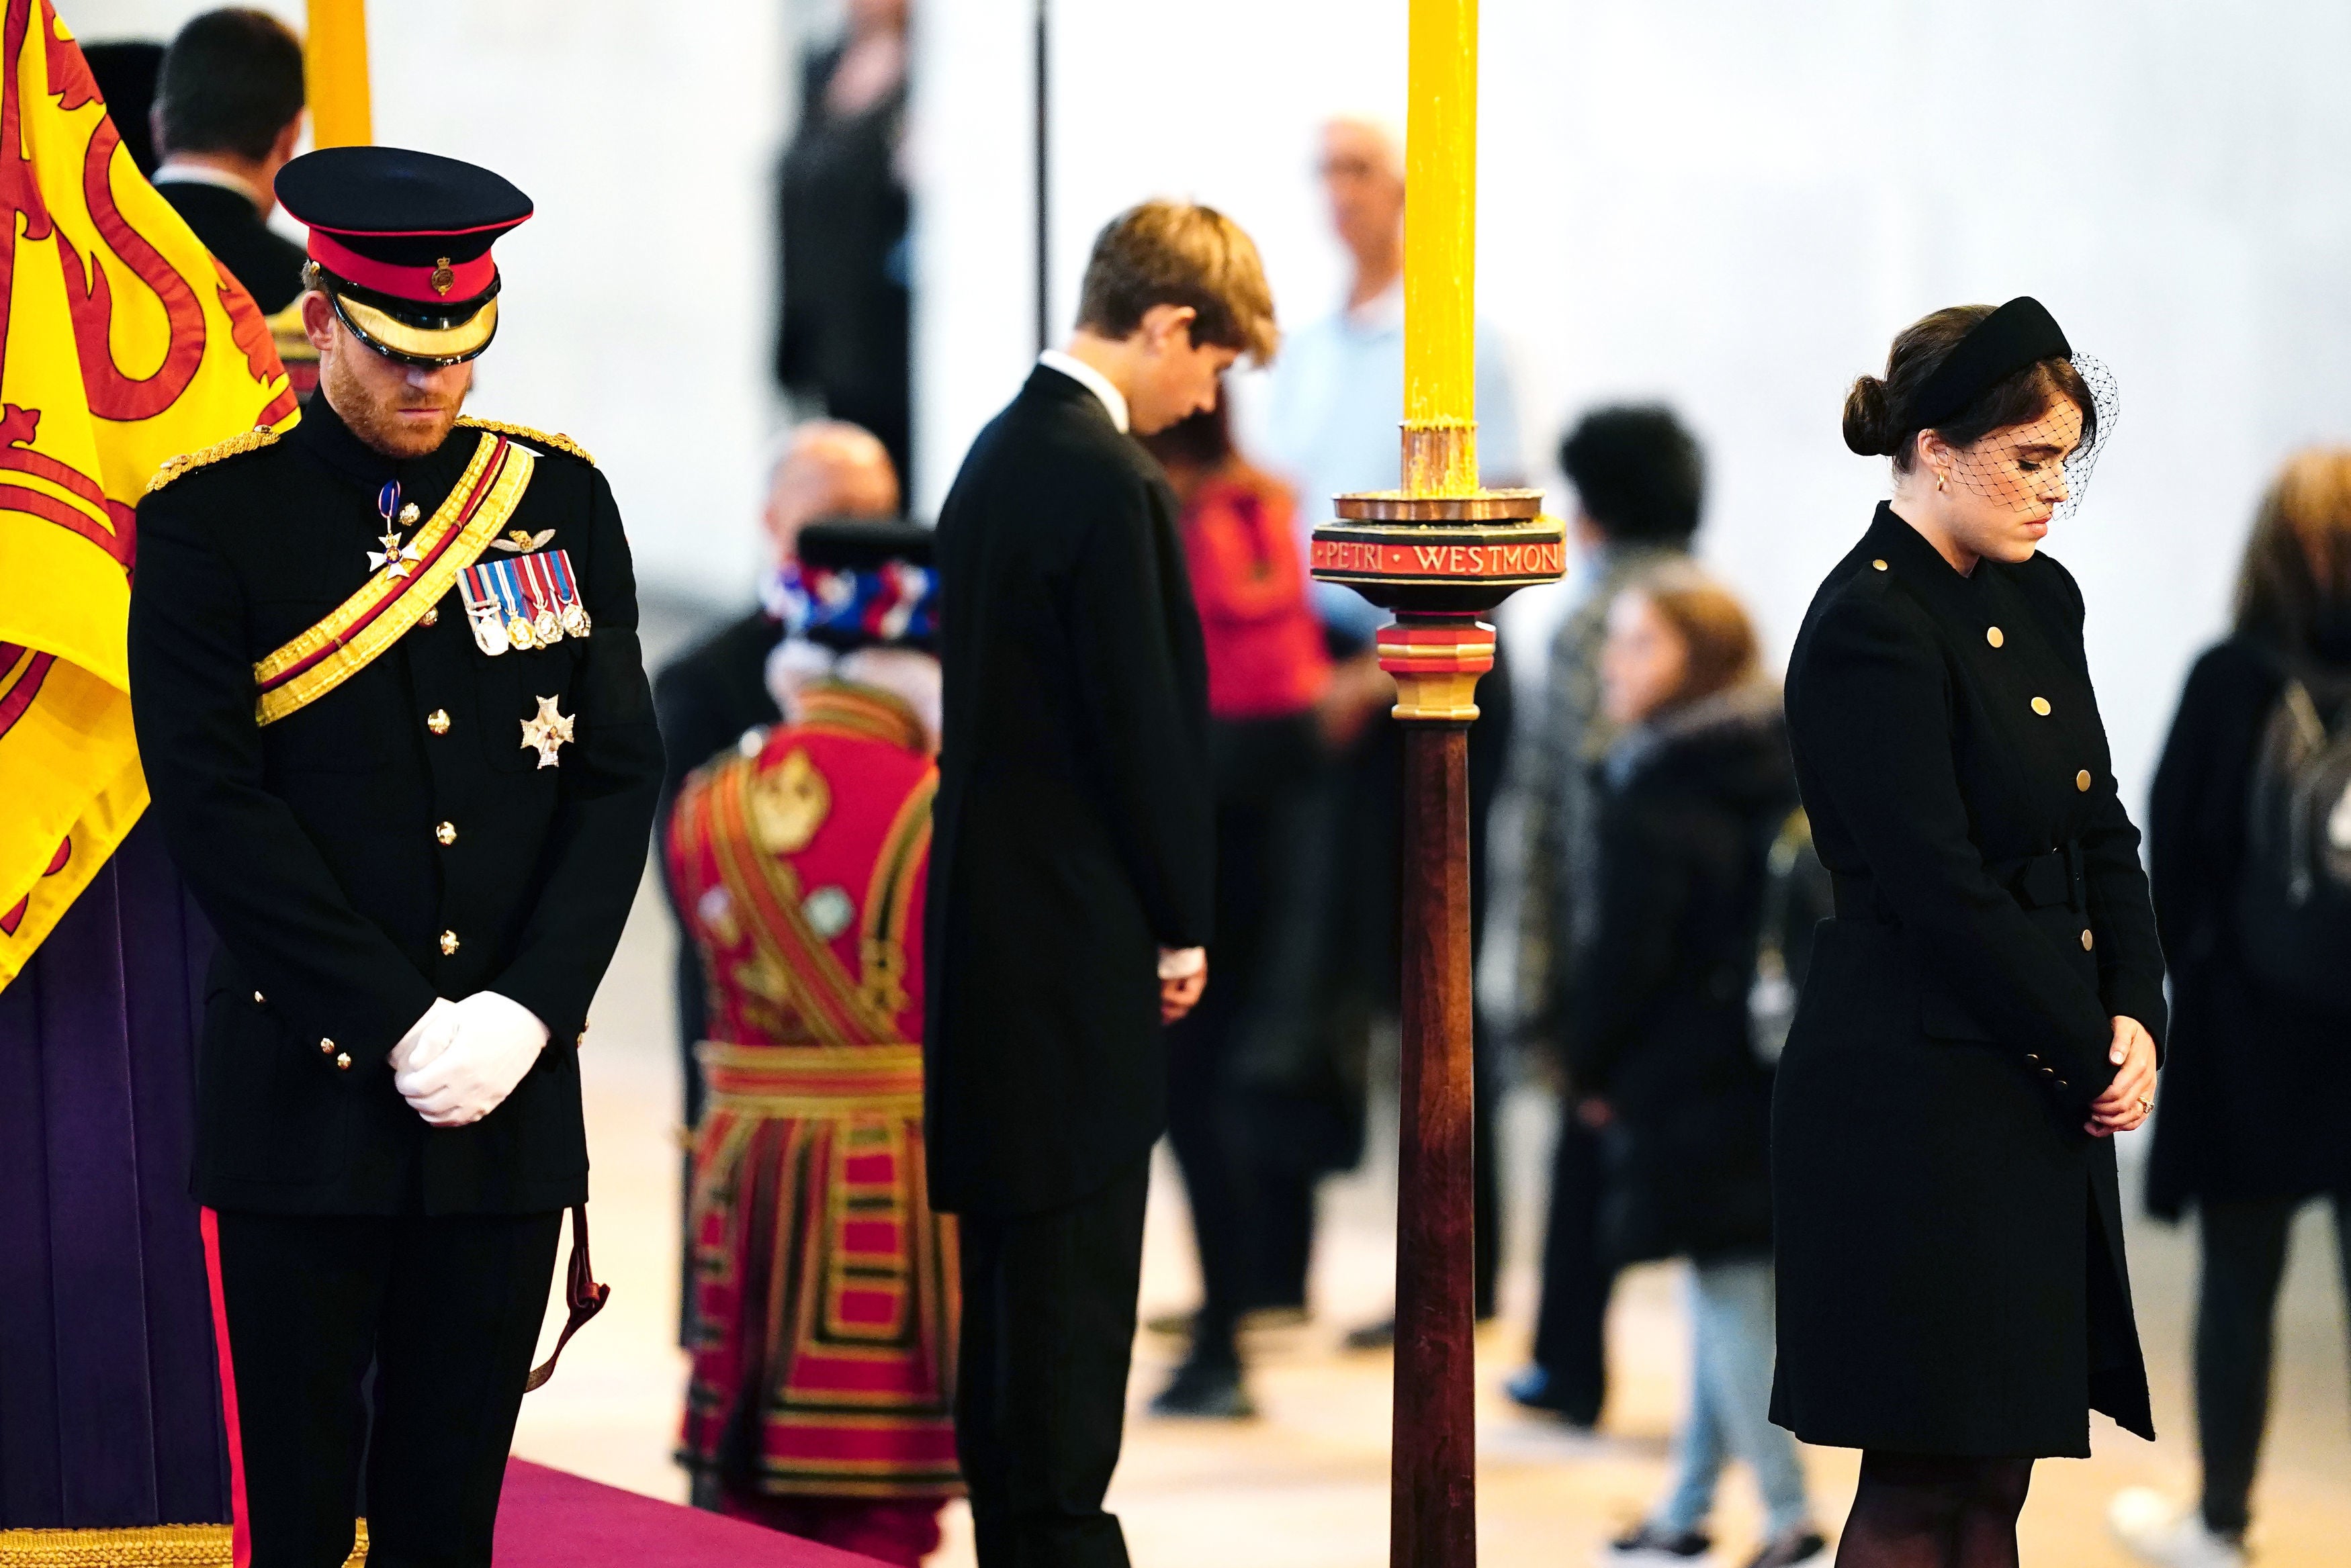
(1983, 1012)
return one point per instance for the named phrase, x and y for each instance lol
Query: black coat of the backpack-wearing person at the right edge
(2246, 1066)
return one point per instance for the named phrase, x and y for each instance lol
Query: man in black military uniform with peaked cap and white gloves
(401, 742)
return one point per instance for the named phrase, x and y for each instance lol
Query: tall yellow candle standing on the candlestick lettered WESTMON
(1440, 250)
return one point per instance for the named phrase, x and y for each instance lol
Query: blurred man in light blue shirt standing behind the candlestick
(1329, 427)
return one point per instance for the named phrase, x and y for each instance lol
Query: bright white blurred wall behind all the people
(1706, 201)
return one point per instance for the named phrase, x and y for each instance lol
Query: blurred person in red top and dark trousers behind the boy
(1233, 1061)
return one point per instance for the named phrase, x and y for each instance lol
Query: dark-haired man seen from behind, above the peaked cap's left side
(227, 119)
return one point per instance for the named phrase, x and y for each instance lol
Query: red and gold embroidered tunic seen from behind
(826, 1289)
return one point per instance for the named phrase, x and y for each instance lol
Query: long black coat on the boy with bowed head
(1073, 831)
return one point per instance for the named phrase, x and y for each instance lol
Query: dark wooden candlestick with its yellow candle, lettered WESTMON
(1440, 551)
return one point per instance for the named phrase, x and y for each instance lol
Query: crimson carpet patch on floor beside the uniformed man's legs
(551, 1520)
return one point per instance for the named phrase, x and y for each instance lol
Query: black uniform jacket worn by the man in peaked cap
(314, 845)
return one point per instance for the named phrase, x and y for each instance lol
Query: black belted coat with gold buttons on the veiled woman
(1950, 1238)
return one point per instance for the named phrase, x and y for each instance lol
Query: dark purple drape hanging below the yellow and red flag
(109, 1393)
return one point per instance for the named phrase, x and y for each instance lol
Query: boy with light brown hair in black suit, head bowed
(1073, 866)
